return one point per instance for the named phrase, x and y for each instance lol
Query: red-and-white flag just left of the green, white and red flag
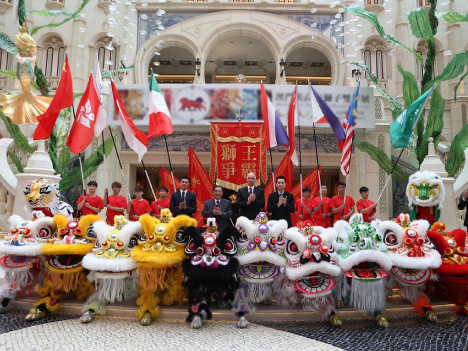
(136, 139)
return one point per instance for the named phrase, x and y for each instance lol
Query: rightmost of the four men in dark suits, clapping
(281, 203)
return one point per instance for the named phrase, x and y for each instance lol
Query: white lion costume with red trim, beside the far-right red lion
(413, 257)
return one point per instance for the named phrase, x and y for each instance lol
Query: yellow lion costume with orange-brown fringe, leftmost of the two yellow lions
(64, 254)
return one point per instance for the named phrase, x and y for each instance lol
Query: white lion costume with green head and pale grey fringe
(363, 258)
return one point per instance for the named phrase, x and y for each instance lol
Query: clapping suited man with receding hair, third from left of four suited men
(251, 199)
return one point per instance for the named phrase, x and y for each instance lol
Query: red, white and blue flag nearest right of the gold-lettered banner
(274, 130)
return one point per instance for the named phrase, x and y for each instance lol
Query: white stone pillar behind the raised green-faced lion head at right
(449, 209)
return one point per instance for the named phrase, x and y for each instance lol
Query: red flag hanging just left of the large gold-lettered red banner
(200, 184)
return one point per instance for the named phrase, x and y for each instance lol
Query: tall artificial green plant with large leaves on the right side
(424, 24)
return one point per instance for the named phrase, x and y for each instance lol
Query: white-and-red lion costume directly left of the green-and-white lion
(311, 268)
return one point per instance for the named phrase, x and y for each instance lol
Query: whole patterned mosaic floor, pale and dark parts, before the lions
(65, 332)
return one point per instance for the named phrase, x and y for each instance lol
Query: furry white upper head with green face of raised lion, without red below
(425, 189)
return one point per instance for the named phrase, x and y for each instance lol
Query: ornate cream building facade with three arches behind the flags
(274, 41)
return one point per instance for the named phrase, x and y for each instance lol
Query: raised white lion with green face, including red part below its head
(426, 194)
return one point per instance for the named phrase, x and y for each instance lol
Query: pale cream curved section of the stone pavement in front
(169, 335)
